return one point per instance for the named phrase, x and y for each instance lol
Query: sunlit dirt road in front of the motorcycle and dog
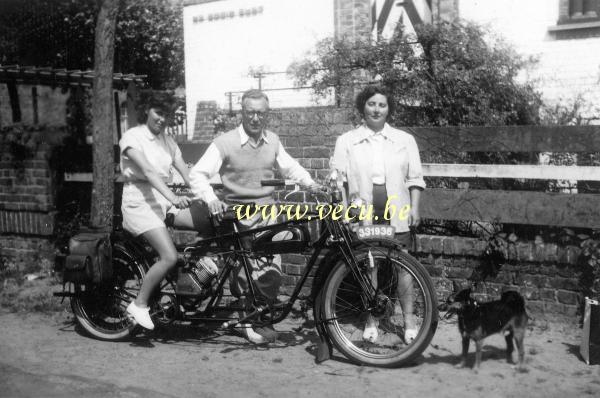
(46, 356)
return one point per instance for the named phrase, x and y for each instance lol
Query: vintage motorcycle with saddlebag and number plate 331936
(104, 273)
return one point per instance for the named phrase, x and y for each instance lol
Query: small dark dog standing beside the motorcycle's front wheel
(478, 320)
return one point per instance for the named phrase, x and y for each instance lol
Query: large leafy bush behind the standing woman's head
(451, 74)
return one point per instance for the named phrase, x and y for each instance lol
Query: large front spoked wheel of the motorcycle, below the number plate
(404, 299)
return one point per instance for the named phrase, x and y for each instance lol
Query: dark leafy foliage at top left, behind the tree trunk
(60, 33)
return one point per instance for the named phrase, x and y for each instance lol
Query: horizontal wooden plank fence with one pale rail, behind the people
(503, 206)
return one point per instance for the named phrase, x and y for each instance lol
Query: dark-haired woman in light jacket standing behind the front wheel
(381, 166)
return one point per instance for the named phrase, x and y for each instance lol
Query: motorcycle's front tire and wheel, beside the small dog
(345, 314)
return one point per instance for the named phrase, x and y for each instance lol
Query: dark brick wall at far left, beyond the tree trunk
(26, 194)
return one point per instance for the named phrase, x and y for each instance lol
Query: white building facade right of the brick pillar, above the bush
(563, 35)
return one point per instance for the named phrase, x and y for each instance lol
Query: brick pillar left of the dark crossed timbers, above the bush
(352, 19)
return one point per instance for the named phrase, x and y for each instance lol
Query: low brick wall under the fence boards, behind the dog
(546, 274)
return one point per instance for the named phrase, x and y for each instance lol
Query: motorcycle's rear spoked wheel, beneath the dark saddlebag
(101, 309)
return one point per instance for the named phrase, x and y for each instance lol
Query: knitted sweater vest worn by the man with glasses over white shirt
(245, 166)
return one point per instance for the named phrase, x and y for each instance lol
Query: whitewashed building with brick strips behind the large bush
(233, 45)
